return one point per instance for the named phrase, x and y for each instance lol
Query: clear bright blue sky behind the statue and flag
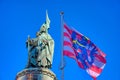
(97, 19)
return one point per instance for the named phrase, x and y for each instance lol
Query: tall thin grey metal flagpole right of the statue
(62, 38)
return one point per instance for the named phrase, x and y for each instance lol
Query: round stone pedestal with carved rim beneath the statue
(36, 74)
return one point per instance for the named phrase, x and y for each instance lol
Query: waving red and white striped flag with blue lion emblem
(87, 55)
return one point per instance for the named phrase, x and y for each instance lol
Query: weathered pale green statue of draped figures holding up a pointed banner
(41, 48)
